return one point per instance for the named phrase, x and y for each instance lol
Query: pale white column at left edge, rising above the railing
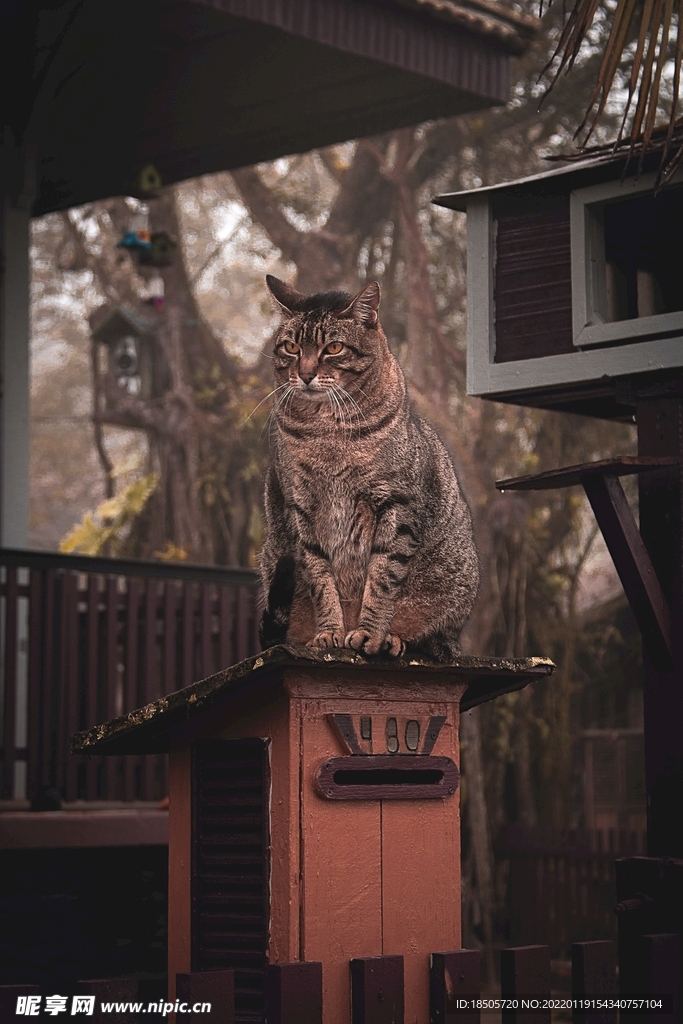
(15, 333)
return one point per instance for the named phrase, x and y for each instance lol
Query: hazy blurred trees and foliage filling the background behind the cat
(335, 219)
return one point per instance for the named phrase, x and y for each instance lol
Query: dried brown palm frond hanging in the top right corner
(651, 23)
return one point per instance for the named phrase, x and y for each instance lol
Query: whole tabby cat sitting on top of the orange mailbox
(369, 541)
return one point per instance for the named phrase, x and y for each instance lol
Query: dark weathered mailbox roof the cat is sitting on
(147, 731)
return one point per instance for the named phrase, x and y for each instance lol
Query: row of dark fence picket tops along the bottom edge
(294, 992)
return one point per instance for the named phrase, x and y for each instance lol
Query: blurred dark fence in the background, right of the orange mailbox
(560, 886)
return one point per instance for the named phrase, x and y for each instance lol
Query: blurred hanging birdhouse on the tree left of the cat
(127, 352)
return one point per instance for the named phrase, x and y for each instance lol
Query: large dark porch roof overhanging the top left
(95, 91)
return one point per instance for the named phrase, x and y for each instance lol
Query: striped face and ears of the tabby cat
(327, 346)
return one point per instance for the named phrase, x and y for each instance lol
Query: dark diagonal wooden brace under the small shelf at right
(632, 563)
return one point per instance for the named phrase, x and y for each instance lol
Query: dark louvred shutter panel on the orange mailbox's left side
(231, 865)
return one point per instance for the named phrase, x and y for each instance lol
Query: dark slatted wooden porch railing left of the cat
(83, 641)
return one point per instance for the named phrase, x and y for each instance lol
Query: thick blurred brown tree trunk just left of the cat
(204, 499)
